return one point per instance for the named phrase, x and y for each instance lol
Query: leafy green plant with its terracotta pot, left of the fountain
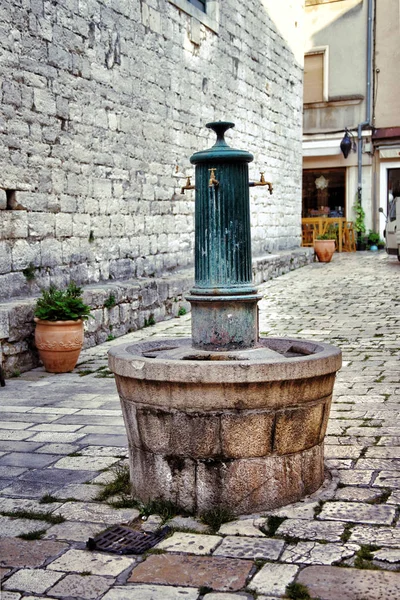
(59, 317)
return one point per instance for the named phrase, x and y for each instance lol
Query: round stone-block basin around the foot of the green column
(242, 430)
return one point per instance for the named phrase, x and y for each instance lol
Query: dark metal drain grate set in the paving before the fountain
(123, 540)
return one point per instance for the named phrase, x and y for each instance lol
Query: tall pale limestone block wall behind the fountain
(100, 101)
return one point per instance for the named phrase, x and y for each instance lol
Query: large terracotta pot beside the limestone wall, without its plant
(59, 344)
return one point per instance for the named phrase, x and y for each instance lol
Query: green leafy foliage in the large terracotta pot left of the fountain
(62, 305)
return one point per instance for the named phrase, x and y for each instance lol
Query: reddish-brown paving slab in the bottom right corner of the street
(334, 583)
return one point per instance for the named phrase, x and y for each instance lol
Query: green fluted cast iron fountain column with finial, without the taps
(224, 300)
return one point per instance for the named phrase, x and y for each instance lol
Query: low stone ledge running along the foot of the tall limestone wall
(121, 307)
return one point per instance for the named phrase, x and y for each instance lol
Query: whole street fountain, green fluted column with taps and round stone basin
(225, 418)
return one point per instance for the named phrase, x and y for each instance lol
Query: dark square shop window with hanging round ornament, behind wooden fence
(324, 192)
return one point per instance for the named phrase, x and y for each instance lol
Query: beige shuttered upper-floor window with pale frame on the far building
(316, 76)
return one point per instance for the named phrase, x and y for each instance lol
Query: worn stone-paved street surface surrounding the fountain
(62, 438)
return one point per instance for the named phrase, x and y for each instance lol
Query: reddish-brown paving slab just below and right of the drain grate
(220, 574)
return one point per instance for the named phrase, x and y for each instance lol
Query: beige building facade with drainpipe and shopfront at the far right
(350, 84)
